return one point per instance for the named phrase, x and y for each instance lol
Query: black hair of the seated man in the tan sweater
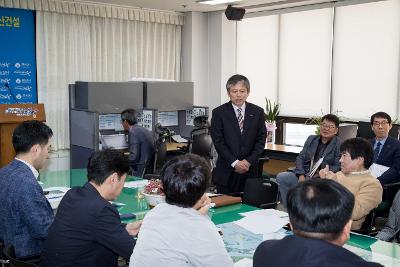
(358, 147)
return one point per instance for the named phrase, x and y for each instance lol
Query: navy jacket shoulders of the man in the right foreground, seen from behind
(298, 251)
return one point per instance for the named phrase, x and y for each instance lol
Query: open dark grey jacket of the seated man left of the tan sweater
(331, 155)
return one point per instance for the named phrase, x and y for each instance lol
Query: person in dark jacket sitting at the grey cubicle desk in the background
(140, 142)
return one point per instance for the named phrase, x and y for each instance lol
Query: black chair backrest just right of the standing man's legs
(261, 193)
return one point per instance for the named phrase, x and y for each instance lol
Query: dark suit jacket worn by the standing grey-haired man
(231, 144)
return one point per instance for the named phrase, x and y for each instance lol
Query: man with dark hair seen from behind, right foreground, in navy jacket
(320, 218)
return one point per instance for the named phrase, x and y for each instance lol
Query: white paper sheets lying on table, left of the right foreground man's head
(262, 224)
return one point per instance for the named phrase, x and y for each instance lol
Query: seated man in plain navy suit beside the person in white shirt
(87, 230)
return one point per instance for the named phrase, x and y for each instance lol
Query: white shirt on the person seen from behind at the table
(171, 236)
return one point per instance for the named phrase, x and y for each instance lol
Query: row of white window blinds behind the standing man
(342, 59)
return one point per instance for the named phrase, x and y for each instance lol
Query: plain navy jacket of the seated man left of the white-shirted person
(87, 231)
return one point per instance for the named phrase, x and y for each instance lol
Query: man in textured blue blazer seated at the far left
(25, 213)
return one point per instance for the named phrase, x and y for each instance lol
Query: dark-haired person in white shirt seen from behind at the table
(179, 232)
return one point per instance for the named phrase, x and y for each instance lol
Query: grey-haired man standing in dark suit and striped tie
(238, 133)
